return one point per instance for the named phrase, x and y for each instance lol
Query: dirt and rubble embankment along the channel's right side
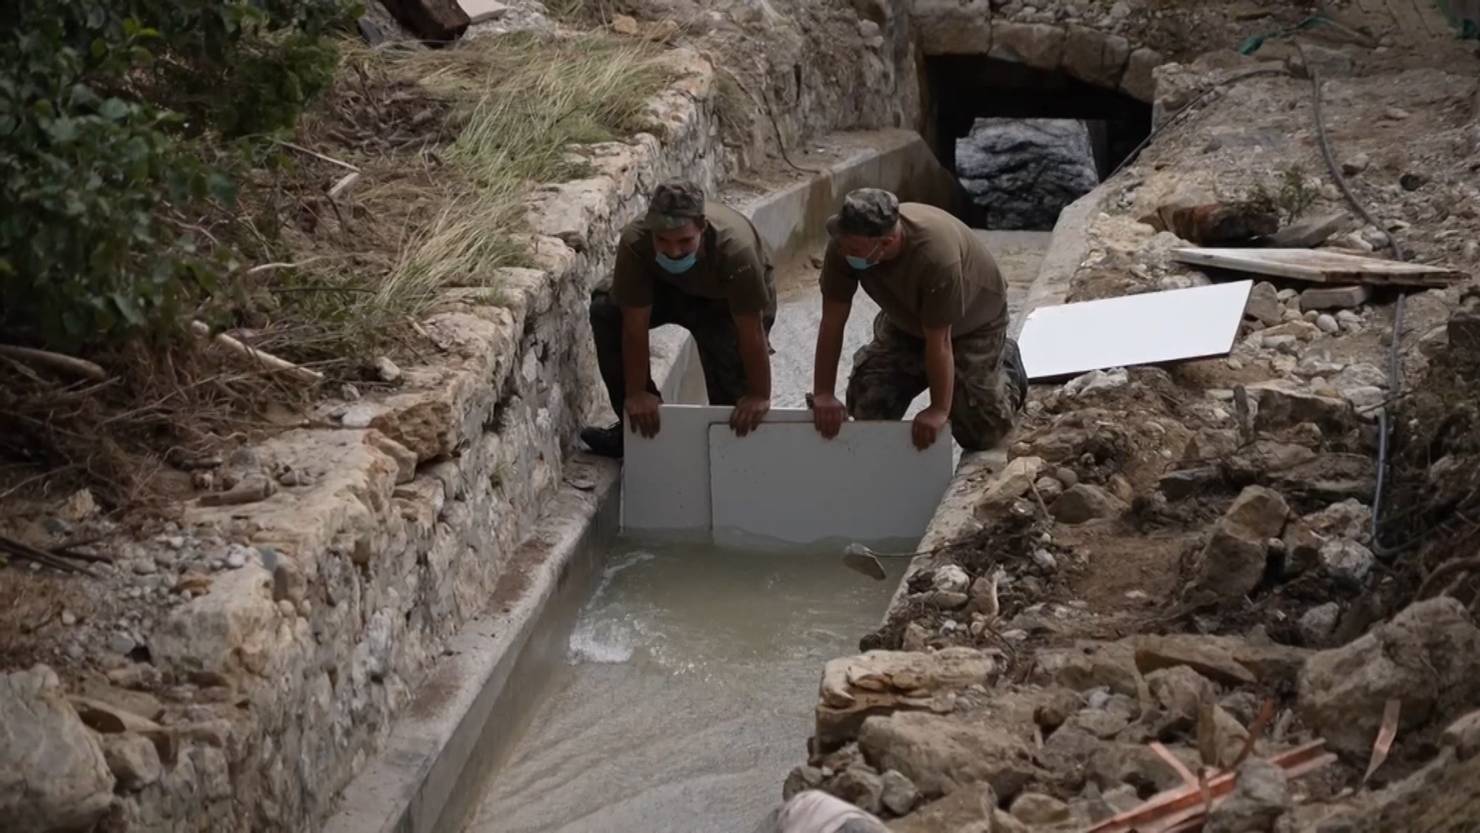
(1177, 572)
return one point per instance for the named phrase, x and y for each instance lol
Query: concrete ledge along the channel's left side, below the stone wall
(411, 783)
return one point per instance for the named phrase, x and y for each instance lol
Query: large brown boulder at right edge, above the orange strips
(1427, 658)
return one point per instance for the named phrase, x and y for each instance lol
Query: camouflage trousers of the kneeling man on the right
(988, 397)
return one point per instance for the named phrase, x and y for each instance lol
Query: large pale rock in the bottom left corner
(53, 769)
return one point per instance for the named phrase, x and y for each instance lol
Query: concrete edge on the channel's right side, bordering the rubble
(1068, 249)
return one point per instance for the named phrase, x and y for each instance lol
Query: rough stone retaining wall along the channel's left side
(316, 613)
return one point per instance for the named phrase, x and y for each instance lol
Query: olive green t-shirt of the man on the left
(733, 266)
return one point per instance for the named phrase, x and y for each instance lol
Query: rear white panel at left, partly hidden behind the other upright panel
(665, 480)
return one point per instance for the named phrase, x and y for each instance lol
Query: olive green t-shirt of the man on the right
(943, 276)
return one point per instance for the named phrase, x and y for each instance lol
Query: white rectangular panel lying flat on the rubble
(1139, 329)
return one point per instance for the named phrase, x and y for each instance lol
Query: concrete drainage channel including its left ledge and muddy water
(476, 749)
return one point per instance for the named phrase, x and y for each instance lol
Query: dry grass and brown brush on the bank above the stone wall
(448, 144)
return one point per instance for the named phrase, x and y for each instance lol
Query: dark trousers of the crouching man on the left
(707, 320)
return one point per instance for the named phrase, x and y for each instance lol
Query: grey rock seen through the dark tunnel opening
(1026, 171)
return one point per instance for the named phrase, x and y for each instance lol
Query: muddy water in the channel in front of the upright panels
(686, 693)
